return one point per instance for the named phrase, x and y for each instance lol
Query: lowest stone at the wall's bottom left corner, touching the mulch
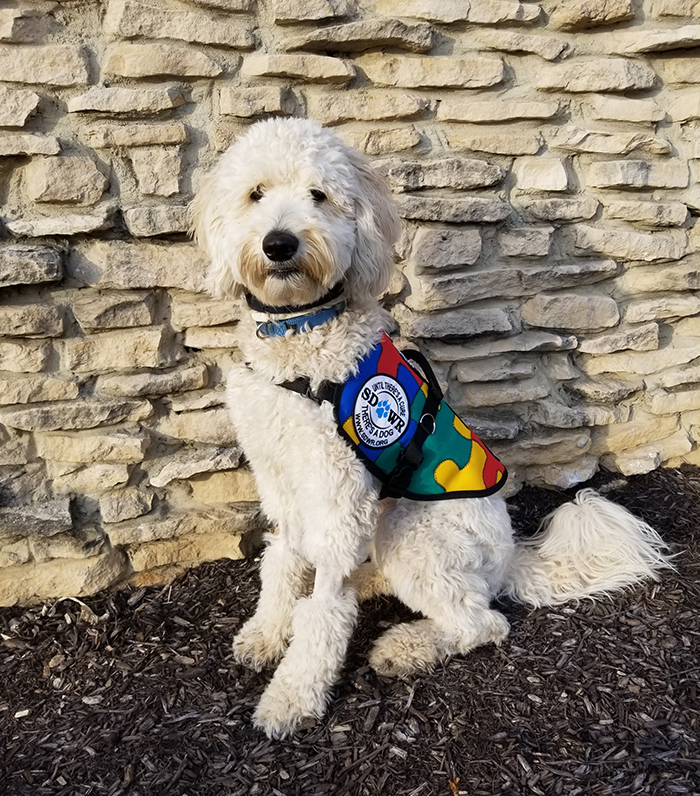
(32, 583)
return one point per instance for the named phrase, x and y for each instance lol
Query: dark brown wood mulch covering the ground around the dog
(136, 692)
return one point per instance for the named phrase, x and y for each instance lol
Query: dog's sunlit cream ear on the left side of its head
(207, 227)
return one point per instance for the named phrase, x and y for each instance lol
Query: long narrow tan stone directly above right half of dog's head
(363, 105)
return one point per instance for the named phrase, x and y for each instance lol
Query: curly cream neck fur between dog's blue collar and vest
(327, 352)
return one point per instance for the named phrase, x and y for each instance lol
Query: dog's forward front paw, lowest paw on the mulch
(284, 705)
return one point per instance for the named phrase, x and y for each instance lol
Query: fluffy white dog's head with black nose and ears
(290, 210)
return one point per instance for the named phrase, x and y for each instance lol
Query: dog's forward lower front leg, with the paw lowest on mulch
(321, 628)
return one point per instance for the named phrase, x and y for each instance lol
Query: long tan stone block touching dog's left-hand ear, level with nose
(122, 266)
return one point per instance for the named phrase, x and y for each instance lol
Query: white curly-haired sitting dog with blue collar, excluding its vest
(300, 225)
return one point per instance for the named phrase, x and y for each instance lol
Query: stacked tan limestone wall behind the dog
(544, 158)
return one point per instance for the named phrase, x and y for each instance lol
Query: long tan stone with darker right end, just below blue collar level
(125, 349)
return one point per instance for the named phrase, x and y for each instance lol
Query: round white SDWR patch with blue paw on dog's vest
(381, 411)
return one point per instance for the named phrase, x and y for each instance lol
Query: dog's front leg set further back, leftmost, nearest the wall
(263, 638)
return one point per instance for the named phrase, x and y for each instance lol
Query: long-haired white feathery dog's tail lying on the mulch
(585, 548)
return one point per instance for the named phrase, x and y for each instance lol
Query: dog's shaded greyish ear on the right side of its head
(378, 228)
